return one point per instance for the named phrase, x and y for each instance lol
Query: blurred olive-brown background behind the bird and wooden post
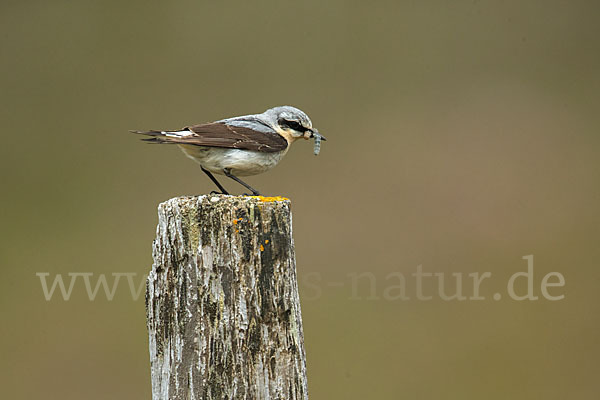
(462, 136)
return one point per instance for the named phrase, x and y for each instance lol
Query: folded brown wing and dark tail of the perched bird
(218, 134)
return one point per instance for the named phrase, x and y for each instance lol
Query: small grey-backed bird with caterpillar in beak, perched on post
(241, 146)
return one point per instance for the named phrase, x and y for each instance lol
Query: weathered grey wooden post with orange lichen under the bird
(222, 301)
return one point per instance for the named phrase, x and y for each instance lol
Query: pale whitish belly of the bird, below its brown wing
(240, 162)
